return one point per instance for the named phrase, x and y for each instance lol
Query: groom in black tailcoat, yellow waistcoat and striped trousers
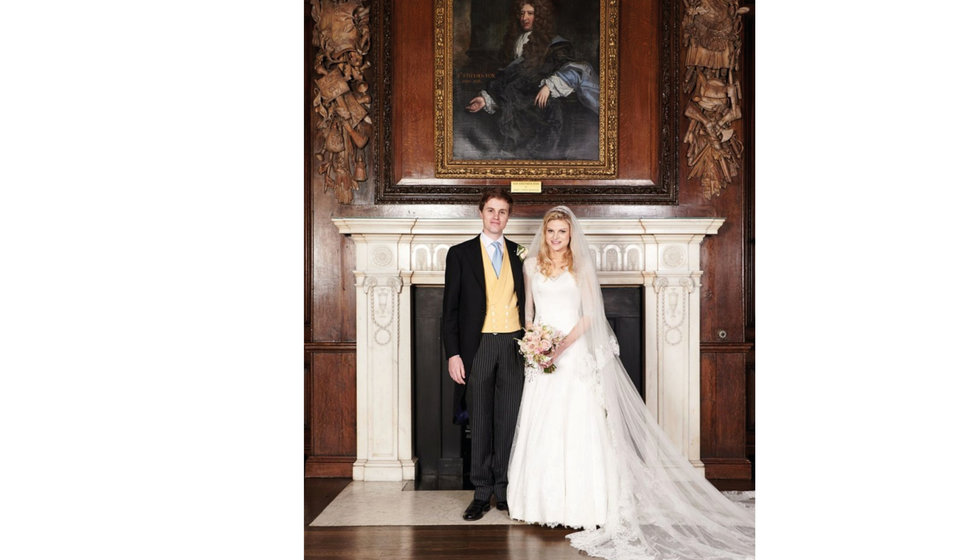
(482, 308)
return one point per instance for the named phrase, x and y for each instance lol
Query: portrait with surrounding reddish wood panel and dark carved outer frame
(433, 58)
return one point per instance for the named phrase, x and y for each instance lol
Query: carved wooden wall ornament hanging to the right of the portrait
(712, 46)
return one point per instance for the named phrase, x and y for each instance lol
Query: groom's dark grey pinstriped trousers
(493, 388)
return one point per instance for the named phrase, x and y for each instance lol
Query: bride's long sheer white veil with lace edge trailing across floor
(661, 506)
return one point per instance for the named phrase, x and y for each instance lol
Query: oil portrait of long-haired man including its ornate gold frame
(526, 89)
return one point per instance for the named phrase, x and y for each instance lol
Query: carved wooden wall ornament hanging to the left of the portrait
(341, 40)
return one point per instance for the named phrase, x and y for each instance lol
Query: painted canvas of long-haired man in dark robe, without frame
(525, 80)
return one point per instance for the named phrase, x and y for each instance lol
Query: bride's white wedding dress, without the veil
(558, 473)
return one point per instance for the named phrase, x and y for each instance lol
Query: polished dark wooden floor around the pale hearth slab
(495, 542)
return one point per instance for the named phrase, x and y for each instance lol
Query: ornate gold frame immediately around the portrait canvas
(603, 168)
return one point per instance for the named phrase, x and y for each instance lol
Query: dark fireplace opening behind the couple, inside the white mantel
(442, 448)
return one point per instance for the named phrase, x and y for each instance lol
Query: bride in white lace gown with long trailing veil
(587, 453)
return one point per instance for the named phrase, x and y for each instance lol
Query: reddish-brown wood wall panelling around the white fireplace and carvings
(727, 258)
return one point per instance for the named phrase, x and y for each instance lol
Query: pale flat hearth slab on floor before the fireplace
(390, 503)
